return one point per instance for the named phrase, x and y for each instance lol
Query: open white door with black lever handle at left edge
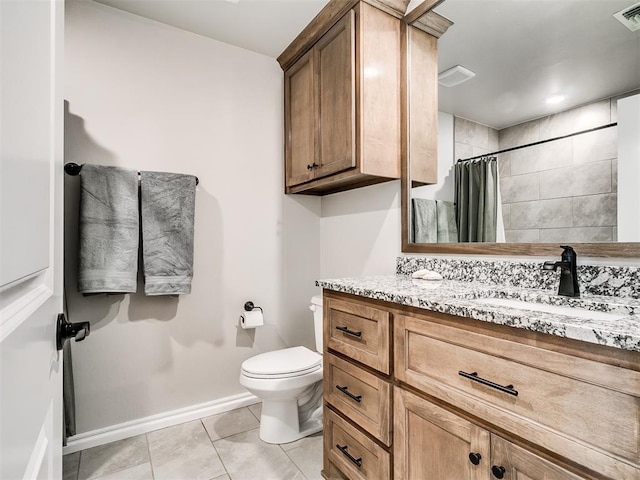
(31, 169)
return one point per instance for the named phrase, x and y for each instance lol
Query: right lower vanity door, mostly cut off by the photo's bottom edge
(510, 462)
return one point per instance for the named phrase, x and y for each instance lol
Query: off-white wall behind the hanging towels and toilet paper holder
(143, 95)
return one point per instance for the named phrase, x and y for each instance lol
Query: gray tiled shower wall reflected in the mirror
(564, 190)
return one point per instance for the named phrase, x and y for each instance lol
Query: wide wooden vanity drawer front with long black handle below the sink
(542, 395)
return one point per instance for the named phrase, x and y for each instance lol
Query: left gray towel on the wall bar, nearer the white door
(109, 230)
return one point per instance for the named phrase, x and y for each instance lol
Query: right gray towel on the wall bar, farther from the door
(167, 208)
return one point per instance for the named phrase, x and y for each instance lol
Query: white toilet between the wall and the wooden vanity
(289, 382)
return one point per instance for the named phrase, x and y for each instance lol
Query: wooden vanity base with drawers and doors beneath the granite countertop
(575, 415)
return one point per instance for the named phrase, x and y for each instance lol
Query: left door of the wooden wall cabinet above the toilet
(300, 121)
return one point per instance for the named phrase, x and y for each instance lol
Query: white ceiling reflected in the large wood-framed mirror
(524, 51)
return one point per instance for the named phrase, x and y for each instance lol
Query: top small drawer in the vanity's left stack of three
(358, 331)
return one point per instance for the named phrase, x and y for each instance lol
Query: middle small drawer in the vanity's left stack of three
(360, 396)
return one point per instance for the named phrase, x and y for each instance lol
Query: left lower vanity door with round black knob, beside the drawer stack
(433, 443)
